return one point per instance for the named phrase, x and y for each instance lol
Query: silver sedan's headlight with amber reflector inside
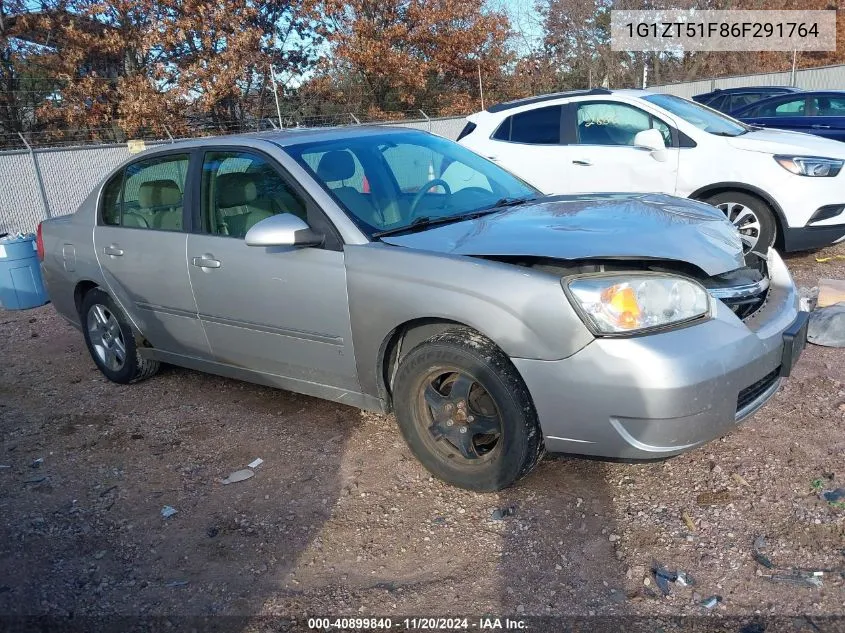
(626, 303)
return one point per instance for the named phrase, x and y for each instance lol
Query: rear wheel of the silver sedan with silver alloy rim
(110, 340)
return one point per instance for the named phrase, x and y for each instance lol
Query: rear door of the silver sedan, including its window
(140, 244)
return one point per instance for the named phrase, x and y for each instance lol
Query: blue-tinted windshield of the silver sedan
(386, 182)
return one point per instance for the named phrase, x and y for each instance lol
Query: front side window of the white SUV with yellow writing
(616, 124)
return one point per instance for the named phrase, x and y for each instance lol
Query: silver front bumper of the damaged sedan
(661, 394)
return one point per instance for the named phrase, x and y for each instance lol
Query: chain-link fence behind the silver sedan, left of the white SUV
(38, 183)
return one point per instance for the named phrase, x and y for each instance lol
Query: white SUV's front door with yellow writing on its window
(603, 156)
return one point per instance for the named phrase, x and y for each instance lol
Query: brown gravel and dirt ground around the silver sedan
(340, 519)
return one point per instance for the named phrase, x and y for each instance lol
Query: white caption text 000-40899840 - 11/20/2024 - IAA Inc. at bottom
(484, 623)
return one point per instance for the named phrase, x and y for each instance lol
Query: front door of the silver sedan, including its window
(281, 311)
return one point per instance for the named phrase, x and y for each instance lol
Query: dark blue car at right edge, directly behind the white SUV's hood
(818, 112)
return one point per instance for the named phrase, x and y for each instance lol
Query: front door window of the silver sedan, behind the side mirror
(239, 189)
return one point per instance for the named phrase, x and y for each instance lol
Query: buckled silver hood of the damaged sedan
(620, 226)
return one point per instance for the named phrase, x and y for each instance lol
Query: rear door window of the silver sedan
(147, 194)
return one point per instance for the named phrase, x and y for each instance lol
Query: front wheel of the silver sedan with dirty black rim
(478, 458)
